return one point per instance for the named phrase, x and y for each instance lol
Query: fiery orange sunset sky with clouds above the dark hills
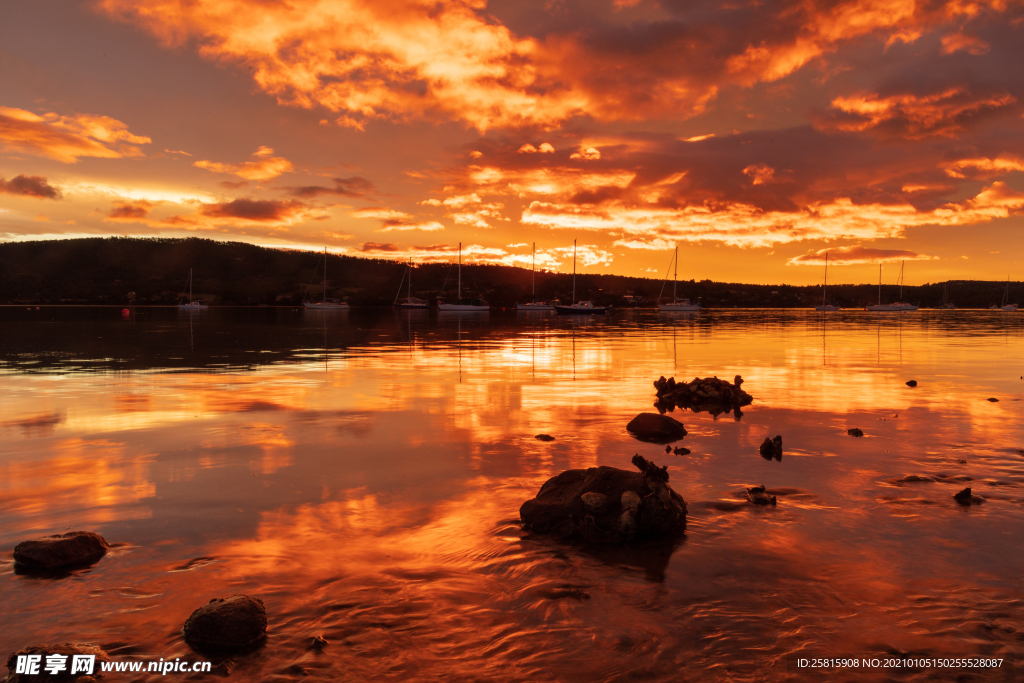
(756, 137)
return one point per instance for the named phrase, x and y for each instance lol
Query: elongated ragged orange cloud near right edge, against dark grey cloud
(915, 117)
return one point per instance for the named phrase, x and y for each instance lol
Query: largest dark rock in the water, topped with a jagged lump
(608, 505)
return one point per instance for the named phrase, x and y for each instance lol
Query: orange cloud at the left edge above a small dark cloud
(67, 139)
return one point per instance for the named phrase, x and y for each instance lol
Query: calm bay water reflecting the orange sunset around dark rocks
(362, 473)
